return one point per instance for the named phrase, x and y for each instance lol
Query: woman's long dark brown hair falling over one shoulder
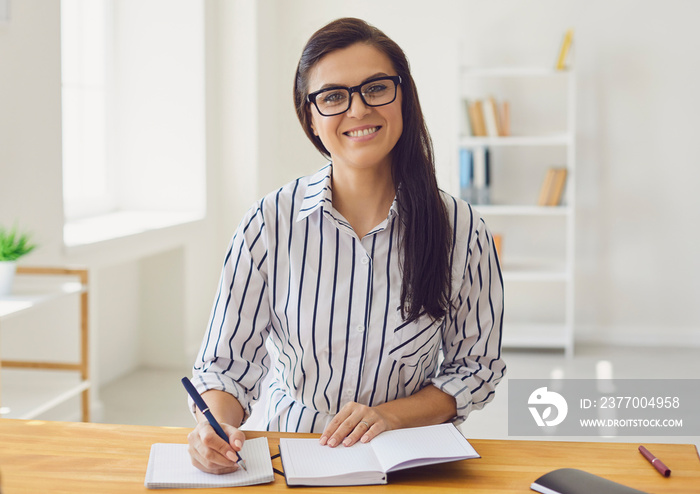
(426, 239)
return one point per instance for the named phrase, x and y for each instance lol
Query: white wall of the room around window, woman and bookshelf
(637, 202)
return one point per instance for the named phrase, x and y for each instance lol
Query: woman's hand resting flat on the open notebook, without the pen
(354, 422)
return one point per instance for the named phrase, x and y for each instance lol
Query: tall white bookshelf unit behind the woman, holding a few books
(556, 331)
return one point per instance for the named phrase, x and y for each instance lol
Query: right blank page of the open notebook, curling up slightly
(396, 449)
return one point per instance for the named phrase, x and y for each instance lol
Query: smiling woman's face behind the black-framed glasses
(344, 135)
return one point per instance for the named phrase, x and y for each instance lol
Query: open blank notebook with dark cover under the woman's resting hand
(306, 462)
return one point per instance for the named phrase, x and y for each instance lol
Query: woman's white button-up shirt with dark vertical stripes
(302, 295)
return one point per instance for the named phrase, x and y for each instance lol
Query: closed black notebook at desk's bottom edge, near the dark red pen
(573, 481)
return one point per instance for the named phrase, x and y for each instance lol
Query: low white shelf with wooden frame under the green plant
(50, 383)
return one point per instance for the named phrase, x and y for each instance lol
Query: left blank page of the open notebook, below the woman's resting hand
(307, 458)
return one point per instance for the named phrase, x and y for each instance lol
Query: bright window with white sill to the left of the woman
(133, 116)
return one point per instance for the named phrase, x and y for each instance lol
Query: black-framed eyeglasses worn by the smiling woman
(336, 100)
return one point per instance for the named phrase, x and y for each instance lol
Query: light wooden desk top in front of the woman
(62, 457)
